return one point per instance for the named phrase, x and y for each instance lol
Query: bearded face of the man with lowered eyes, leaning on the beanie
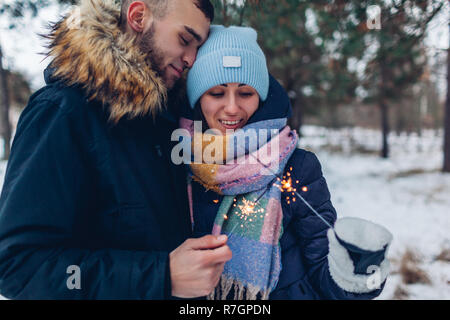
(173, 41)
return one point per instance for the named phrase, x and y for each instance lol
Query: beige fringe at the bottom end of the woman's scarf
(225, 285)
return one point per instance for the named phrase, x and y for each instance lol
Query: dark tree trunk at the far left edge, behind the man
(5, 126)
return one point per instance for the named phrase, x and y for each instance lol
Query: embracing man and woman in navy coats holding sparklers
(91, 182)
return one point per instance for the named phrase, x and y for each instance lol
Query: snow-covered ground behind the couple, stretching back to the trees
(405, 193)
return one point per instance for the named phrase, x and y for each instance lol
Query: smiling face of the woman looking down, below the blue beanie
(229, 106)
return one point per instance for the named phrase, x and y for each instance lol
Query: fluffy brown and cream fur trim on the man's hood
(89, 49)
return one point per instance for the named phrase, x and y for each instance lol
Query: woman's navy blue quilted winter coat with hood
(304, 243)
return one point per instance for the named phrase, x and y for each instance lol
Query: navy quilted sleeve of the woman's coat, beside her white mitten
(312, 231)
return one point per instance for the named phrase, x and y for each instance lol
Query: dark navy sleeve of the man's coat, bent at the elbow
(40, 206)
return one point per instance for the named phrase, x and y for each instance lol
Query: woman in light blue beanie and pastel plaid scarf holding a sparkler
(266, 194)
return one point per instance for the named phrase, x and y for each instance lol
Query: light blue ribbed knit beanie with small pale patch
(229, 55)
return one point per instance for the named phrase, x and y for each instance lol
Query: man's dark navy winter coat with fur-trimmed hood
(82, 191)
